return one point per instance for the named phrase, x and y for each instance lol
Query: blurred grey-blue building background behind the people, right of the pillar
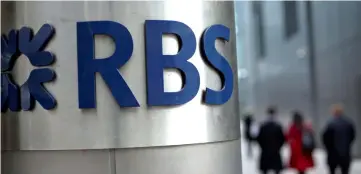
(299, 55)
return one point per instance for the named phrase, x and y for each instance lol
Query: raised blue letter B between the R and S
(156, 62)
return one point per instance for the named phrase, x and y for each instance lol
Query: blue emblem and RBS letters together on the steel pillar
(156, 62)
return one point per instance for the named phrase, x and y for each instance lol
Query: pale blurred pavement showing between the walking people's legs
(250, 166)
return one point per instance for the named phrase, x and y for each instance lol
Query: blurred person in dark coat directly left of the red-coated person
(271, 140)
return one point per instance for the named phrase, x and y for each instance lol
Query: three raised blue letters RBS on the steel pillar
(156, 62)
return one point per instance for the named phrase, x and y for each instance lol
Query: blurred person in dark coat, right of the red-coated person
(337, 138)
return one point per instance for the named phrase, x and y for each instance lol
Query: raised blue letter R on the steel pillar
(108, 68)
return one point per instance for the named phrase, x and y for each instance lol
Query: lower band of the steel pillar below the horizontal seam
(224, 158)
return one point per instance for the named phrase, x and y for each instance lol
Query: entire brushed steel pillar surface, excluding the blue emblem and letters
(189, 139)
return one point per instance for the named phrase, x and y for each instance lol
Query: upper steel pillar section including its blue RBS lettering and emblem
(75, 99)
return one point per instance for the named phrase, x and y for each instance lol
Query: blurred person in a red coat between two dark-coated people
(301, 140)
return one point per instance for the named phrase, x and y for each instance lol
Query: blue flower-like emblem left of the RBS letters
(23, 42)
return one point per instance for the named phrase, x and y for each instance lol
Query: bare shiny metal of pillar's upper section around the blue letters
(109, 126)
